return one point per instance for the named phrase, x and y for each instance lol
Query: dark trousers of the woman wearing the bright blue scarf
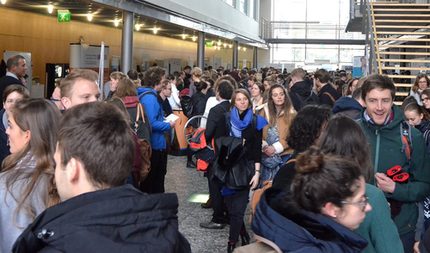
(236, 206)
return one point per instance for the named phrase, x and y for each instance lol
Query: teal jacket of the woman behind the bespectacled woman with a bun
(378, 228)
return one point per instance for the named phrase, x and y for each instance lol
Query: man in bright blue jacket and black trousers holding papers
(148, 98)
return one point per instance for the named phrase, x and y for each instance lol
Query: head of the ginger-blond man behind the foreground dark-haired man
(78, 87)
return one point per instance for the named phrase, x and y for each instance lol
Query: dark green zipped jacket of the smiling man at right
(386, 146)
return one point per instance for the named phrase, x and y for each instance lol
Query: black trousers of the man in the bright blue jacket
(154, 183)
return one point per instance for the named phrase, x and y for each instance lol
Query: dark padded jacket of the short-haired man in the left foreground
(120, 219)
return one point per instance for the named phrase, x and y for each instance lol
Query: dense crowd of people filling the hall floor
(338, 167)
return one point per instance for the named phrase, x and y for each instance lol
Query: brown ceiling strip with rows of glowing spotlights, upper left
(106, 16)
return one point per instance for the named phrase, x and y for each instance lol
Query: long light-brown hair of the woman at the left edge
(41, 118)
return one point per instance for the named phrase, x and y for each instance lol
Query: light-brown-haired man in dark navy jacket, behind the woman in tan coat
(300, 90)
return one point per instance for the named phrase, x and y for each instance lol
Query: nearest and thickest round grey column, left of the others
(127, 41)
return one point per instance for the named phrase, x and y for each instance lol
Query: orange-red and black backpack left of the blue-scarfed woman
(203, 153)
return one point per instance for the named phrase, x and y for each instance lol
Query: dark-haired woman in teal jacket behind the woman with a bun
(344, 137)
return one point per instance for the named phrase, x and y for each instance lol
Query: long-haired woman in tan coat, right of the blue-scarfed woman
(279, 112)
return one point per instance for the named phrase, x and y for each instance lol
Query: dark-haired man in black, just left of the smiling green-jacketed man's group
(326, 93)
